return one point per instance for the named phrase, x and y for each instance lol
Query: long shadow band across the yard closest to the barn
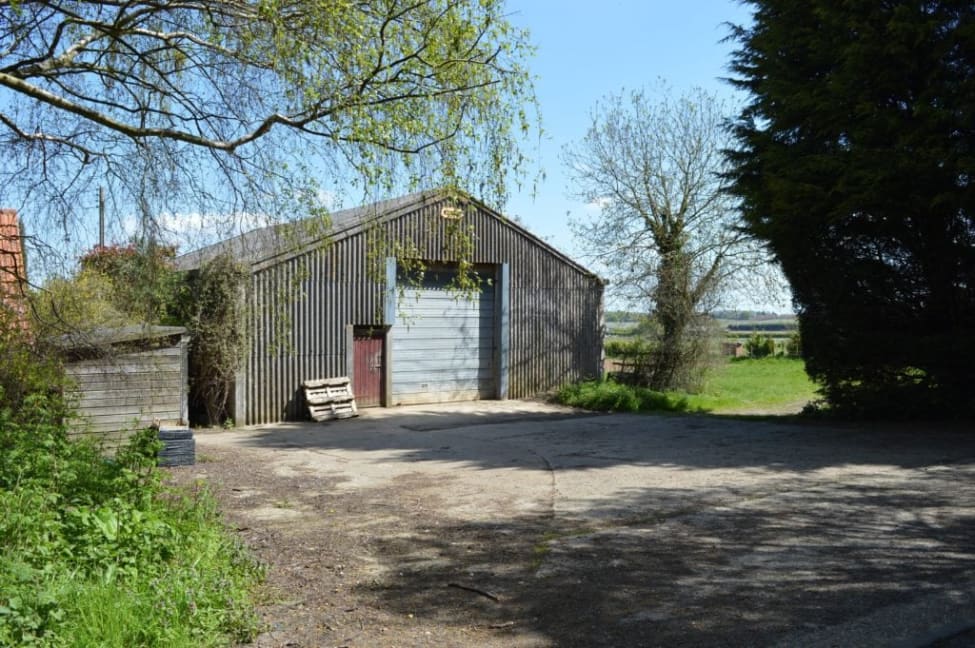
(580, 440)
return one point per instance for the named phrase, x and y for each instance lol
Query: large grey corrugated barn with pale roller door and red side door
(340, 304)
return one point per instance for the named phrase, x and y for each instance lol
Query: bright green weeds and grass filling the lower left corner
(97, 552)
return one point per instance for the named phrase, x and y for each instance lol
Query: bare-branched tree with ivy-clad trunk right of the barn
(664, 229)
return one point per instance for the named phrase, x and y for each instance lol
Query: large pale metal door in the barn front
(443, 343)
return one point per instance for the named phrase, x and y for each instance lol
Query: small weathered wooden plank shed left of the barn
(128, 378)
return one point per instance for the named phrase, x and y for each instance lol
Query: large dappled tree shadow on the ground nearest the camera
(770, 568)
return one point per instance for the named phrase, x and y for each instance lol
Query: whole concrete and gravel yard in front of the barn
(523, 524)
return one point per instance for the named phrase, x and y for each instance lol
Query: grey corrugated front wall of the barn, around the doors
(303, 306)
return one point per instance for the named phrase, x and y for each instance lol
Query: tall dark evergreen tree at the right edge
(856, 163)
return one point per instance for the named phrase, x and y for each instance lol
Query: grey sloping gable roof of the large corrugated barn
(273, 243)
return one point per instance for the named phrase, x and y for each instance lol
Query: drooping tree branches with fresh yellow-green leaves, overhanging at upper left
(243, 107)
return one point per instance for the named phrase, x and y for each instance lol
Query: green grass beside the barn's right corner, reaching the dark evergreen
(737, 386)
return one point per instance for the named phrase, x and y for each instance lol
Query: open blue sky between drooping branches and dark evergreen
(589, 50)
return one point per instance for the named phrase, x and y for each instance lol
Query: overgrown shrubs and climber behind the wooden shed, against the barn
(138, 284)
